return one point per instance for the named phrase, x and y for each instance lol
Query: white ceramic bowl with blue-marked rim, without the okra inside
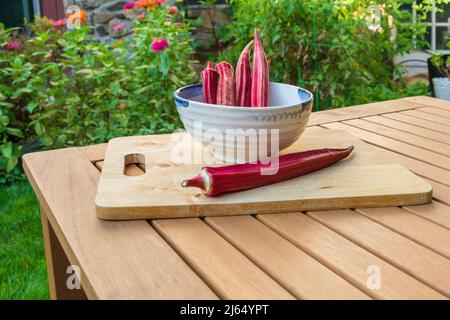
(229, 131)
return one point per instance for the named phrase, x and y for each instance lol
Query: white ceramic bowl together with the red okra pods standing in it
(241, 116)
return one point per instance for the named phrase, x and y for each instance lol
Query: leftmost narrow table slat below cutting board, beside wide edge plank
(230, 274)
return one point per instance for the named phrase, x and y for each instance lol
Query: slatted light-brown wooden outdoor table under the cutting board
(387, 253)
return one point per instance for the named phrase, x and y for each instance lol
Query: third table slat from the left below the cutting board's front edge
(346, 258)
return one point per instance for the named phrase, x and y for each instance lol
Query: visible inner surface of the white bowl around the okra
(280, 95)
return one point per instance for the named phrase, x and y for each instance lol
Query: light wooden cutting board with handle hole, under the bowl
(368, 178)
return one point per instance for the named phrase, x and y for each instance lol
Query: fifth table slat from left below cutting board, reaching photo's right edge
(413, 227)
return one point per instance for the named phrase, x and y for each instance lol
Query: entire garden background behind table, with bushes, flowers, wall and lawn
(81, 72)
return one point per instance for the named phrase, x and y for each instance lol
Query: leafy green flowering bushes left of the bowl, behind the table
(61, 88)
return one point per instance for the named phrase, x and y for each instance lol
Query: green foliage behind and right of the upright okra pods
(341, 50)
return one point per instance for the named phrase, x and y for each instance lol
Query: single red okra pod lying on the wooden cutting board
(217, 180)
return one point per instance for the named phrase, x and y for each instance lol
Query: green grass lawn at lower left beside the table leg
(23, 273)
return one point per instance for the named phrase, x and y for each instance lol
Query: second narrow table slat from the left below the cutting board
(300, 274)
